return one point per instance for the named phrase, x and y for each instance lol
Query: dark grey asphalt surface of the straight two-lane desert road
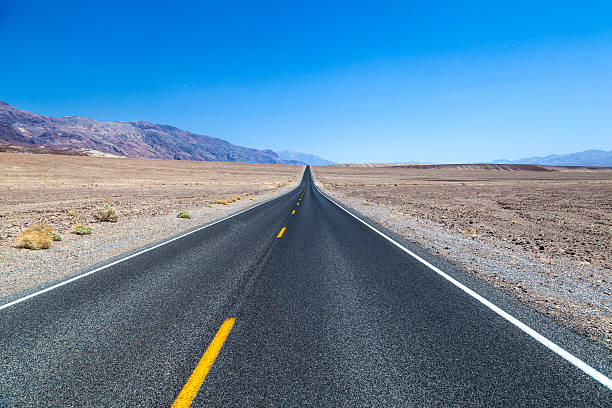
(331, 314)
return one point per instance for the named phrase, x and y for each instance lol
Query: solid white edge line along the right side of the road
(587, 369)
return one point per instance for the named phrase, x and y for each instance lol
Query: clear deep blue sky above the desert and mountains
(351, 81)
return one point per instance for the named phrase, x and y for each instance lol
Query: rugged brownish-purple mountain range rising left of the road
(126, 139)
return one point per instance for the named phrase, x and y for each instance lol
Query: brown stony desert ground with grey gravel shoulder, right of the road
(543, 234)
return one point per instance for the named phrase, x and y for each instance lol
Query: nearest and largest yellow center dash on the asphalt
(194, 382)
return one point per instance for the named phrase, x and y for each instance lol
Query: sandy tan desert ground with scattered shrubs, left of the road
(63, 191)
